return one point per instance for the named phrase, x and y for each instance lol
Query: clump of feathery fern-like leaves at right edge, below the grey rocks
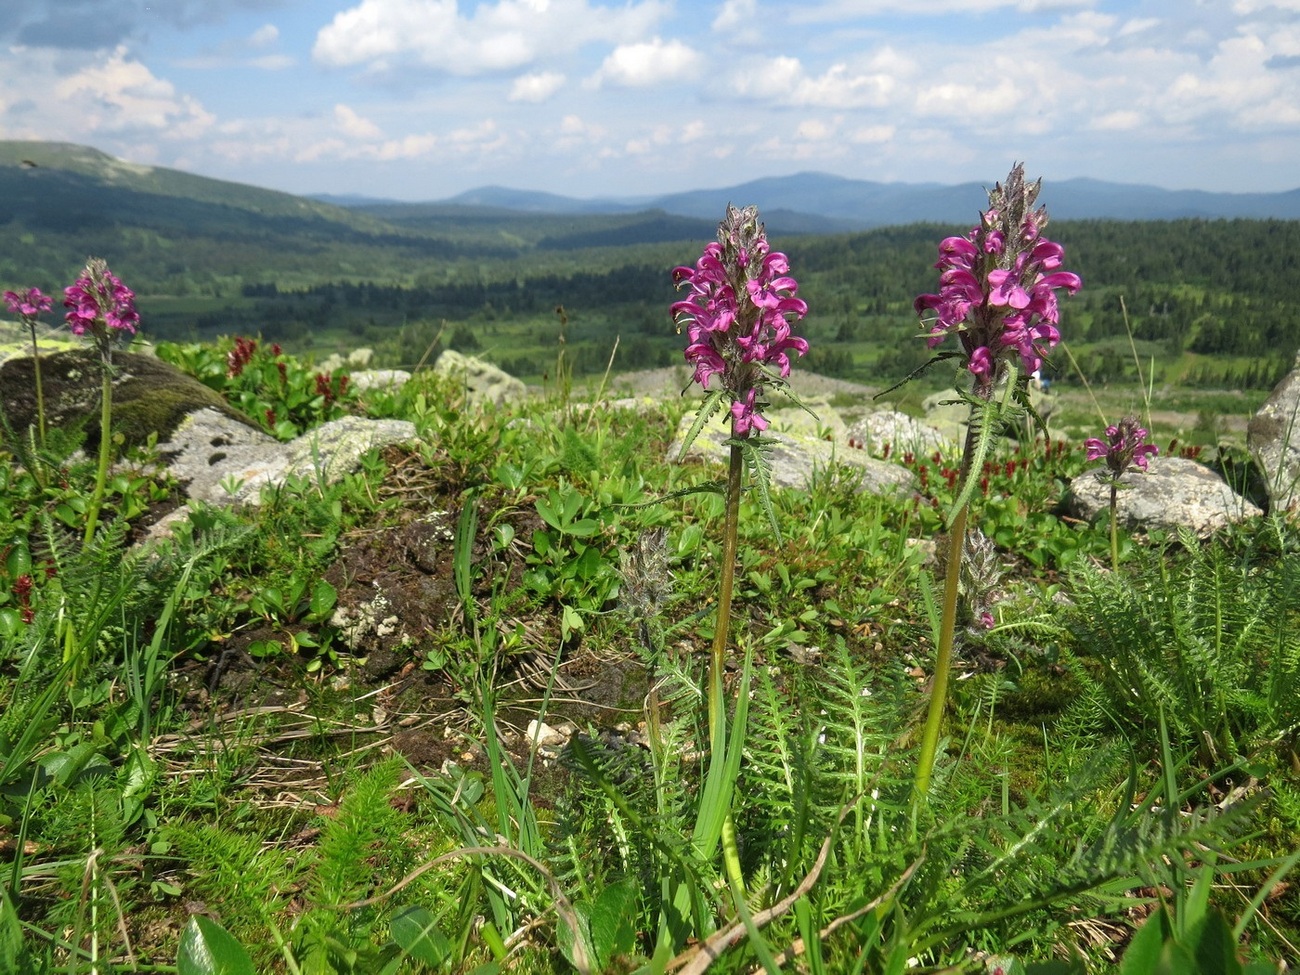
(1206, 638)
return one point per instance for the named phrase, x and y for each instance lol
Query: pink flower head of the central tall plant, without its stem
(739, 313)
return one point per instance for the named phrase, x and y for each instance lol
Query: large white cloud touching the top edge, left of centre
(502, 36)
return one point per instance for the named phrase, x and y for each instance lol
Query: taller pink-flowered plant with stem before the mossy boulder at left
(103, 309)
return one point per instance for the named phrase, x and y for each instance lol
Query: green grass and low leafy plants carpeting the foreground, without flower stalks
(340, 822)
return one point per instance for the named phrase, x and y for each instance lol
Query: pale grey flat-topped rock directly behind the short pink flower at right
(1175, 493)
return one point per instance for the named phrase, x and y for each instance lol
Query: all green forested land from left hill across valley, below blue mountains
(1210, 300)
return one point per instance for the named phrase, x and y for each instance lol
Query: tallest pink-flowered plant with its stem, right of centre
(998, 297)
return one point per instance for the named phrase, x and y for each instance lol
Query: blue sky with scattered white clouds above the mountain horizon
(424, 99)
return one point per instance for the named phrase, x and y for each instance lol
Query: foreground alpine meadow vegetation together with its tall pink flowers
(657, 717)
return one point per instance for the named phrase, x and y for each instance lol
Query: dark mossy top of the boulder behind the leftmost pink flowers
(149, 396)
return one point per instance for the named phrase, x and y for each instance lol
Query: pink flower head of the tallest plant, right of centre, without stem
(998, 287)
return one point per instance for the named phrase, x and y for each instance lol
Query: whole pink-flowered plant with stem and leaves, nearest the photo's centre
(739, 314)
